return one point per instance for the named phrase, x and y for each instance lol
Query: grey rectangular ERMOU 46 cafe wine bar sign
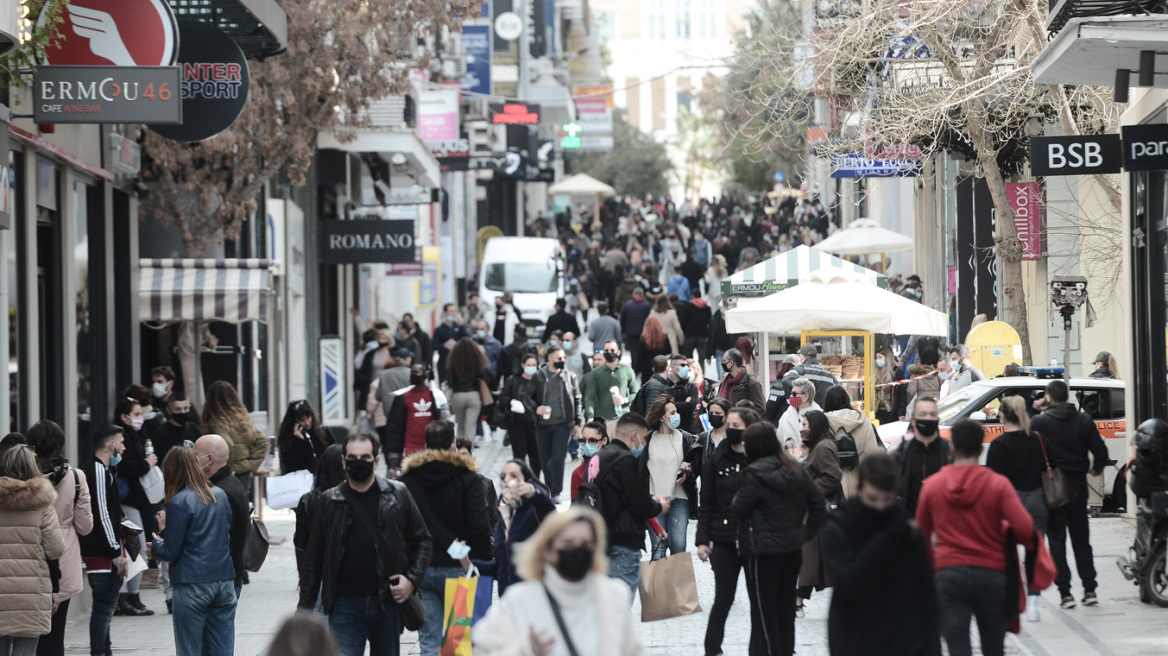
(108, 95)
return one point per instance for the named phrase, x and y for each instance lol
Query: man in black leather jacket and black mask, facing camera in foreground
(361, 584)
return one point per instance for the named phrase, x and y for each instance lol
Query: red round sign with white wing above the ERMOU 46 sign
(122, 33)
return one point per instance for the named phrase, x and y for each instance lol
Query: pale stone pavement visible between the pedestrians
(1120, 627)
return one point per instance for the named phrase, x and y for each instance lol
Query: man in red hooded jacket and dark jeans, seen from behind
(963, 508)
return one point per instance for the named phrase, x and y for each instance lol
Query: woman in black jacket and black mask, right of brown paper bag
(718, 528)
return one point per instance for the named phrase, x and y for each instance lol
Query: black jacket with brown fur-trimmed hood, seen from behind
(451, 498)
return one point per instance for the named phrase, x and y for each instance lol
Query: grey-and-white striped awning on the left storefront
(204, 290)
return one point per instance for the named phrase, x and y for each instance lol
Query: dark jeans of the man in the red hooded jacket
(963, 592)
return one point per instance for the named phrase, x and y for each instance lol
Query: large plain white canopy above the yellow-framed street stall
(836, 301)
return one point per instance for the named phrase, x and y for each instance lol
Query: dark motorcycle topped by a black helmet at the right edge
(1146, 563)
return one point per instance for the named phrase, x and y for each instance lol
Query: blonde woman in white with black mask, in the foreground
(567, 603)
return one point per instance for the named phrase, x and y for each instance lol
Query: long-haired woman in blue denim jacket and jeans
(198, 528)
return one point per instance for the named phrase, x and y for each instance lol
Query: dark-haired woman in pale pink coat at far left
(77, 519)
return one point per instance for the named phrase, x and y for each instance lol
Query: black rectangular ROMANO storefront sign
(367, 241)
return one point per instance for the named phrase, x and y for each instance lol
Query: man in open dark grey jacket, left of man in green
(560, 415)
